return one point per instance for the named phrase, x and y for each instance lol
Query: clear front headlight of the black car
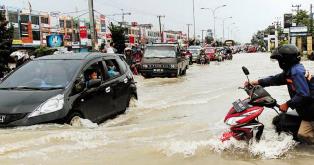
(51, 105)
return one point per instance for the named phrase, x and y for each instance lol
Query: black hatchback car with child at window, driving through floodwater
(61, 88)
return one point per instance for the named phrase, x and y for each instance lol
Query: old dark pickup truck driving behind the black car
(163, 60)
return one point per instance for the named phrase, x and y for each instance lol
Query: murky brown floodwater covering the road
(175, 121)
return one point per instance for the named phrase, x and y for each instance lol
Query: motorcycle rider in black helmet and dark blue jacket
(297, 79)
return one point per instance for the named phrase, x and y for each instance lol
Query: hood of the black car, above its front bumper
(21, 101)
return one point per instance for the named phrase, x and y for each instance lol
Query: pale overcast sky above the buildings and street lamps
(248, 15)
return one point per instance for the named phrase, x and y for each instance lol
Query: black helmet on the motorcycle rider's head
(287, 56)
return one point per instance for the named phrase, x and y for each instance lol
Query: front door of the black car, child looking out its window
(95, 101)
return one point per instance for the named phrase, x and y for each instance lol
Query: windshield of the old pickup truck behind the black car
(160, 51)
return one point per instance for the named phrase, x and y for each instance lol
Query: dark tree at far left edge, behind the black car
(6, 38)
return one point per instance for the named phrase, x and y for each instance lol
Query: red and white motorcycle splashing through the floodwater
(243, 116)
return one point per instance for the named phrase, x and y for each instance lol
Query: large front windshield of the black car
(42, 74)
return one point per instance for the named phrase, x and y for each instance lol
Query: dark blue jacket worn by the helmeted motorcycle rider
(298, 88)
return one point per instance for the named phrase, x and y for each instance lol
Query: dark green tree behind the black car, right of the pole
(118, 37)
